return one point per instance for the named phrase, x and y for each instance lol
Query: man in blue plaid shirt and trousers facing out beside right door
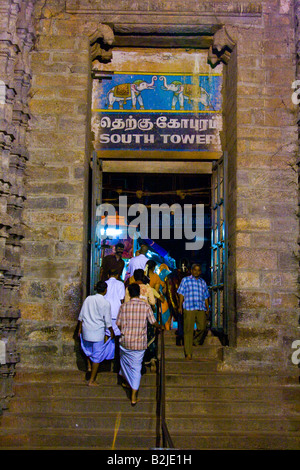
(194, 305)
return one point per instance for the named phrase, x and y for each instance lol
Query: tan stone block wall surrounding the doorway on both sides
(260, 136)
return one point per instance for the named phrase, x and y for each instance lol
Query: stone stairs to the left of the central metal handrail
(57, 410)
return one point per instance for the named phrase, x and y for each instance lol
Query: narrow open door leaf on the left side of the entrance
(95, 240)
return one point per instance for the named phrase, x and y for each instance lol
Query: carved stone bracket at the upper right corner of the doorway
(222, 46)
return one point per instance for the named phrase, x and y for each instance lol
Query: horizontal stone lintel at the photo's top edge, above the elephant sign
(174, 18)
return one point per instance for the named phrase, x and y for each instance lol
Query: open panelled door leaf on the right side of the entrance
(219, 251)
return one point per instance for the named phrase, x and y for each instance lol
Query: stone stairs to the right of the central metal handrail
(210, 409)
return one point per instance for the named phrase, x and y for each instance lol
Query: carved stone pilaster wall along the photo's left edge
(16, 41)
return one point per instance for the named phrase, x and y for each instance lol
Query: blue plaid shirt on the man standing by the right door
(194, 291)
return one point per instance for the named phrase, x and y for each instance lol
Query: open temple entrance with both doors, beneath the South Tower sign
(183, 188)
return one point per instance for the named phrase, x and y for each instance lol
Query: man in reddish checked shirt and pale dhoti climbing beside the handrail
(132, 322)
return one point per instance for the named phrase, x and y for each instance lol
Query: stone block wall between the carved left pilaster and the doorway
(57, 182)
